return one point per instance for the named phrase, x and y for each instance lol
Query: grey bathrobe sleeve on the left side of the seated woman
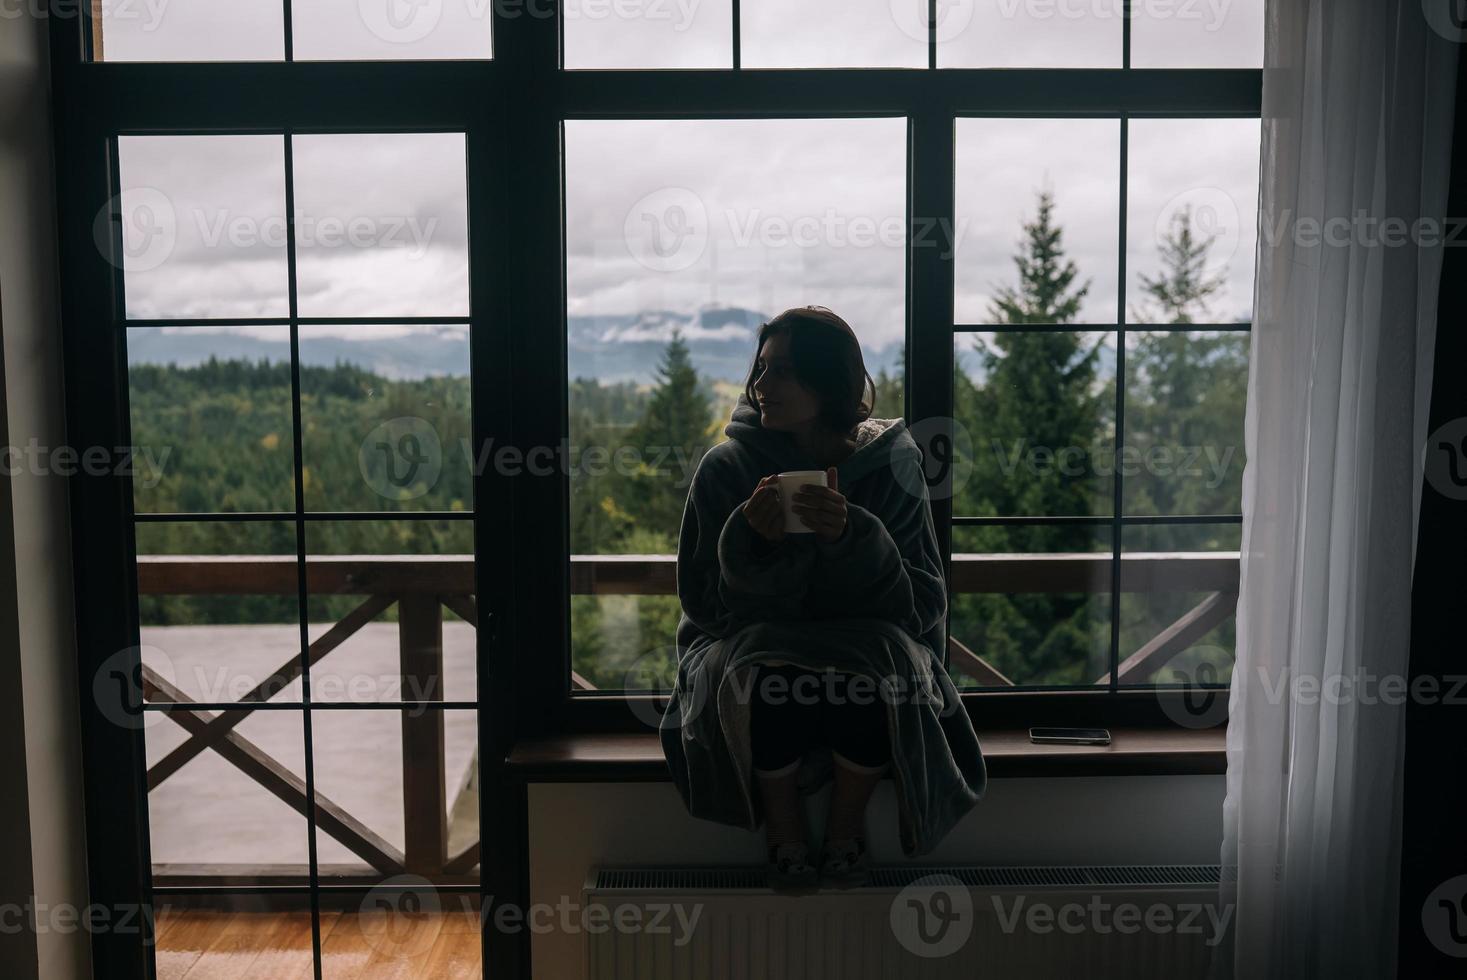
(727, 576)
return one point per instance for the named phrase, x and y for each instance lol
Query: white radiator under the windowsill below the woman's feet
(1001, 924)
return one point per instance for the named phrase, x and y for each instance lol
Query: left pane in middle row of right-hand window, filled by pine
(1035, 425)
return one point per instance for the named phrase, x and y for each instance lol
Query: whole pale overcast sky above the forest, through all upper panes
(668, 215)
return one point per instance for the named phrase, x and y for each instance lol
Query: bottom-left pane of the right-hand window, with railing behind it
(1031, 605)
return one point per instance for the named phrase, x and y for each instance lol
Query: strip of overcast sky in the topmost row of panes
(699, 33)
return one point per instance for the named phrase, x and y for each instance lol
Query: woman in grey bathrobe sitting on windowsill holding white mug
(813, 657)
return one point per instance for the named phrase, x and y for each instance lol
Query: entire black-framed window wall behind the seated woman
(340, 580)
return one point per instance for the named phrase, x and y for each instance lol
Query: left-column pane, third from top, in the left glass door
(219, 610)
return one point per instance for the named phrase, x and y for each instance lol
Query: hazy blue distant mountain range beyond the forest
(611, 348)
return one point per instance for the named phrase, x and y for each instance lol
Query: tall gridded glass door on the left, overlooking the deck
(296, 316)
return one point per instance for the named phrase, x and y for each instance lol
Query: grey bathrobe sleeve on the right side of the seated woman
(888, 564)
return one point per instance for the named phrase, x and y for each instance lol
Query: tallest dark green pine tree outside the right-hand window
(1036, 392)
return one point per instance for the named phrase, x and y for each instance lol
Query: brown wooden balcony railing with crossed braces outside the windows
(423, 586)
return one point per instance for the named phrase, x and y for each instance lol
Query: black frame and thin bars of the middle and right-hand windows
(932, 102)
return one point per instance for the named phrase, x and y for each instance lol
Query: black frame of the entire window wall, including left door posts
(511, 109)
